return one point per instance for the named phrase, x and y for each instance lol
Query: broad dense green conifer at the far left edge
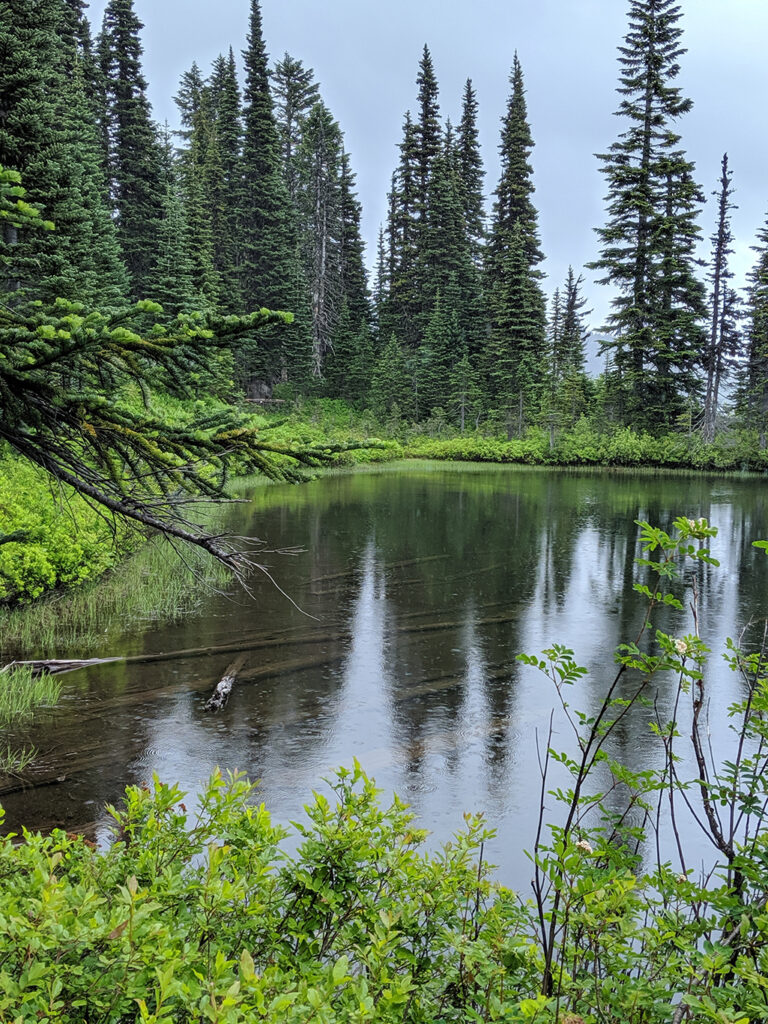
(46, 134)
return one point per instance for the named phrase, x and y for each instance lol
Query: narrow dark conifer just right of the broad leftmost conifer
(134, 148)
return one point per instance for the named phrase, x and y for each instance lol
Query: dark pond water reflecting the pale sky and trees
(424, 584)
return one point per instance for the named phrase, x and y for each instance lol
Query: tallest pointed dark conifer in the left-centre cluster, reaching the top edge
(270, 266)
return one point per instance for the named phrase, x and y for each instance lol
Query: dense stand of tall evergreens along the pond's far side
(253, 204)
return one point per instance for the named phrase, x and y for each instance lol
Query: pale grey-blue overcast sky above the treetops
(366, 56)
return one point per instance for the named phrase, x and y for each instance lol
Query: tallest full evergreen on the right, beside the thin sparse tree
(648, 243)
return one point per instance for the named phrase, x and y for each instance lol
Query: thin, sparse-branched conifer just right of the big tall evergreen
(722, 334)
